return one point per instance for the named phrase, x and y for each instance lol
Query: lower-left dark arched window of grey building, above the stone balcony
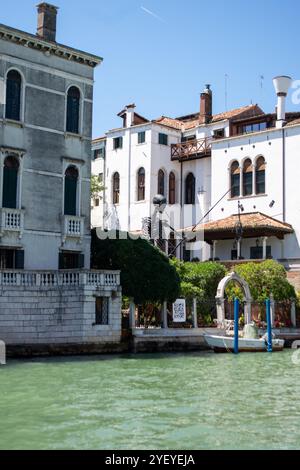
(10, 183)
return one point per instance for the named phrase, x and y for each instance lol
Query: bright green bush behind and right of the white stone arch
(263, 279)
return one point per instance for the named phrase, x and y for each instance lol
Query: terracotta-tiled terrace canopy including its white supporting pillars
(242, 226)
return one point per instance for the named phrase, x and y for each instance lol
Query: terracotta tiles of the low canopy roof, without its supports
(250, 221)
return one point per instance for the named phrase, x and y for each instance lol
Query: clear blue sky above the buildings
(161, 61)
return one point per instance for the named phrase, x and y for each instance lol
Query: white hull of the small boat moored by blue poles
(223, 344)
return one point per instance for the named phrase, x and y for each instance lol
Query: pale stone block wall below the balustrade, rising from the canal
(57, 315)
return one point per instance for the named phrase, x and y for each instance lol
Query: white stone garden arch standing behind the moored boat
(220, 297)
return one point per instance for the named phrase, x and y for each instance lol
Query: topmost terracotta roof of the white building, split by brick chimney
(189, 122)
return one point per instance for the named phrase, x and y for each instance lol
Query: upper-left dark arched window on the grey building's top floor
(13, 95)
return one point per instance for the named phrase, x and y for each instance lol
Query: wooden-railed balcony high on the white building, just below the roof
(192, 149)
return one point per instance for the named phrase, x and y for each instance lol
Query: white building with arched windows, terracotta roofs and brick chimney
(240, 166)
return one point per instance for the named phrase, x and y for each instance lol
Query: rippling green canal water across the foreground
(184, 401)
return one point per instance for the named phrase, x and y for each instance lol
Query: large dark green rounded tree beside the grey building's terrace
(146, 273)
